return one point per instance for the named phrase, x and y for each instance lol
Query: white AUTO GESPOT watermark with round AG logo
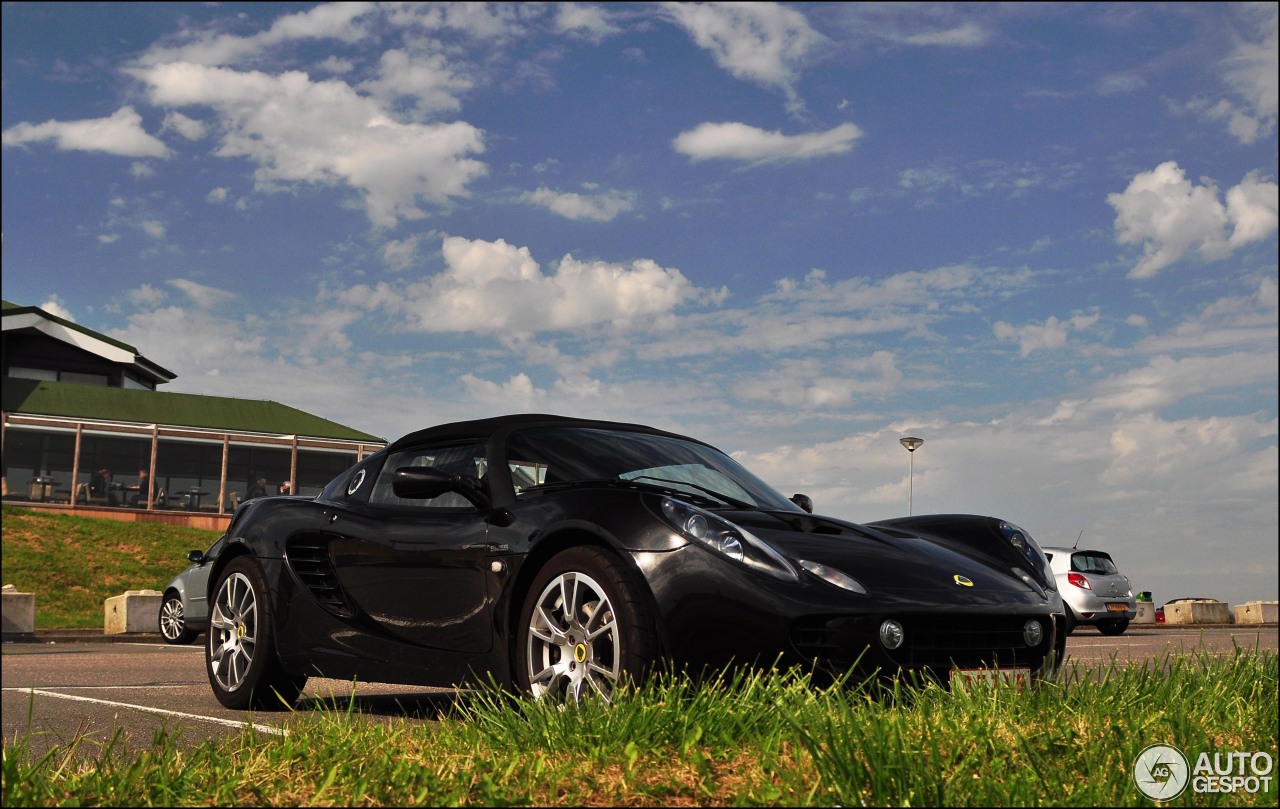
(1163, 773)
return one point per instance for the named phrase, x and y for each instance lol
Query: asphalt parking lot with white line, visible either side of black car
(58, 691)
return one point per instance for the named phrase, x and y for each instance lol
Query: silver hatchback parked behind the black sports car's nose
(1094, 591)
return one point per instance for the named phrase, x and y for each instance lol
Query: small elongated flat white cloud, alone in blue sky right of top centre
(738, 141)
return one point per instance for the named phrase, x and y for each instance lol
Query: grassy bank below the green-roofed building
(76, 564)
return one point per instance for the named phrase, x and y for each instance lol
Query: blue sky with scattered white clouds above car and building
(1041, 237)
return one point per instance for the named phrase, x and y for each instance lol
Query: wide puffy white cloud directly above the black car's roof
(497, 287)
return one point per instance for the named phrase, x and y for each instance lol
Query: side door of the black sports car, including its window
(418, 569)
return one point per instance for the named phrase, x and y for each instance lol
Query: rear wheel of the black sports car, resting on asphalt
(240, 657)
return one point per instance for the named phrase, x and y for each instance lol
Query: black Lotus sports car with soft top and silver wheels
(561, 555)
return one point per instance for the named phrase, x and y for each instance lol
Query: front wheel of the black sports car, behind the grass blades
(605, 639)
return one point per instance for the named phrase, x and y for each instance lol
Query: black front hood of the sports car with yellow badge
(897, 561)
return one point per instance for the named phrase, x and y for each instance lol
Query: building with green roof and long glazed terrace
(85, 427)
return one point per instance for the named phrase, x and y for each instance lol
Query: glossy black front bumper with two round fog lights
(712, 614)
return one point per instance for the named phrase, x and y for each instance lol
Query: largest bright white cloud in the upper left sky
(326, 134)
